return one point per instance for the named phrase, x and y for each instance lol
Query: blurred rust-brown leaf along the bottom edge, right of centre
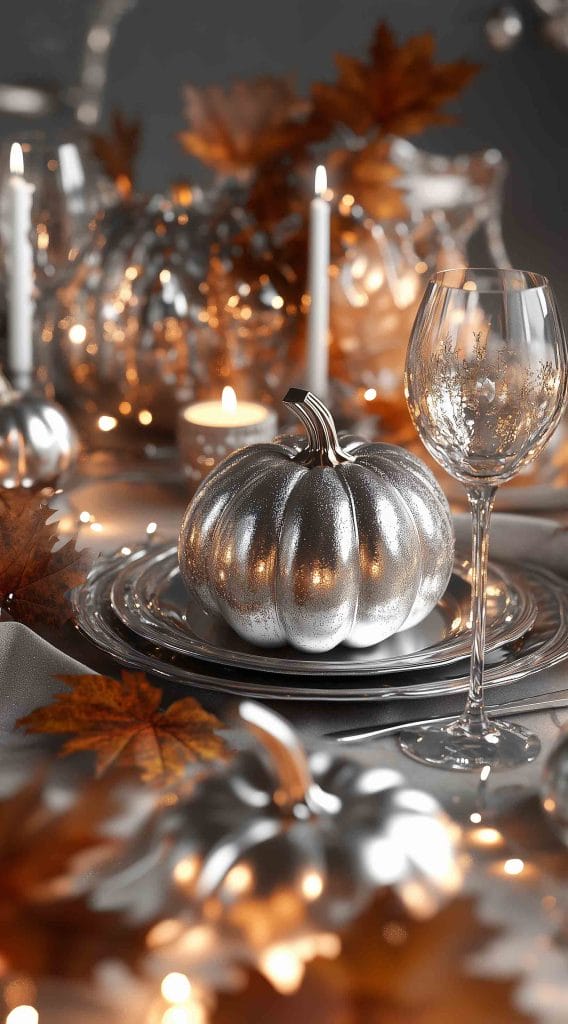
(391, 970)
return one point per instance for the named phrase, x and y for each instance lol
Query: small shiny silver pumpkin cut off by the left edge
(38, 443)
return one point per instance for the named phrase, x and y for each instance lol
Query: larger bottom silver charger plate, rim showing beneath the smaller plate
(544, 647)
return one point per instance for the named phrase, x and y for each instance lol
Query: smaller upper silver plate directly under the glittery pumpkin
(150, 599)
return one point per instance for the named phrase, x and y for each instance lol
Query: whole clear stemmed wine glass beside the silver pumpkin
(487, 383)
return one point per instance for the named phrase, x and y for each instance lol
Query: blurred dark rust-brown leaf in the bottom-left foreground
(50, 860)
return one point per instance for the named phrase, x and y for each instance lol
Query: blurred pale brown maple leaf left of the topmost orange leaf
(236, 130)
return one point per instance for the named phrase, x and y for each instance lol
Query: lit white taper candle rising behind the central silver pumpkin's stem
(319, 289)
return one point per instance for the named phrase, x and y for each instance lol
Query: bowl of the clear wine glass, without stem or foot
(489, 389)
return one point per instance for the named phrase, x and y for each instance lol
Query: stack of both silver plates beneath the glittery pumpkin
(137, 609)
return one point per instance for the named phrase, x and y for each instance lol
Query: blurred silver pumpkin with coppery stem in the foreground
(277, 828)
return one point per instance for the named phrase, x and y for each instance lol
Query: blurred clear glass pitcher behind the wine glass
(380, 270)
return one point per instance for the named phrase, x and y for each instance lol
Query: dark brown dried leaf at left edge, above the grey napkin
(35, 575)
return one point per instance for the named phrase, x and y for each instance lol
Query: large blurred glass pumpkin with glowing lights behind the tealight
(164, 306)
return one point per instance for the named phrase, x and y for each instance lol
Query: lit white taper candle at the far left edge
(21, 274)
